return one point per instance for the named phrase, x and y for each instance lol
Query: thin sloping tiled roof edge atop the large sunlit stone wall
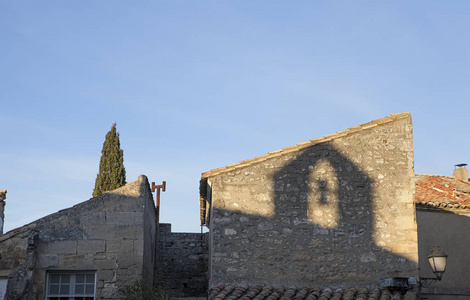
(307, 144)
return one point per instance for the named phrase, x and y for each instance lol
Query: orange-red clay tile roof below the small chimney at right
(442, 192)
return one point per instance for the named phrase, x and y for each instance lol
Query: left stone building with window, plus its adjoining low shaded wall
(97, 247)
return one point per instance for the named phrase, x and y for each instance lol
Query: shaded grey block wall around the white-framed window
(104, 234)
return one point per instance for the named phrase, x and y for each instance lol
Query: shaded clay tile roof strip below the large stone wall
(306, 293)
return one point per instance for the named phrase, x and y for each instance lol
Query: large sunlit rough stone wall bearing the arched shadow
(339, 212)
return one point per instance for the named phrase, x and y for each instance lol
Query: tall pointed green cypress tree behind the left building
(112, 173)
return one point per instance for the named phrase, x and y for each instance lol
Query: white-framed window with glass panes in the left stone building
(71, 286)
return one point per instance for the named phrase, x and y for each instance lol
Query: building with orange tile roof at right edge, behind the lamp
(443, 216)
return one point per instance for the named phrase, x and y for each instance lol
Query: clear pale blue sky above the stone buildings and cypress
(196, 85)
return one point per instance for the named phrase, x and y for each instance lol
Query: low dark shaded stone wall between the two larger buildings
(182, 263)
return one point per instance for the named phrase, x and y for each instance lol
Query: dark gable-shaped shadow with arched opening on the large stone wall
(321, 232)
